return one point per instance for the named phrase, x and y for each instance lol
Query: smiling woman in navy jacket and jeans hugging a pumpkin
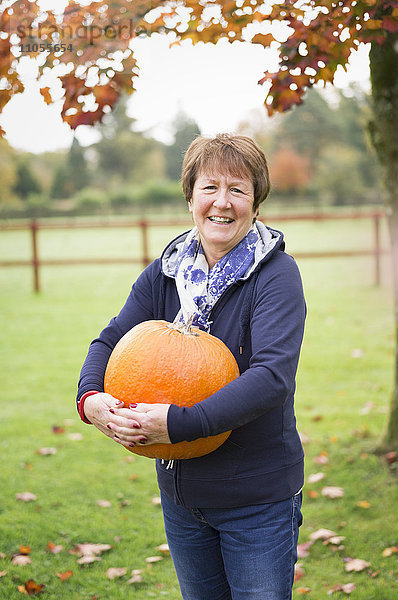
(231, 517)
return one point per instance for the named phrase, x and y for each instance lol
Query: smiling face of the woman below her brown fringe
(222, 210)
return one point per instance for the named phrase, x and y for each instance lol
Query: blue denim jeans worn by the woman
(245, 553)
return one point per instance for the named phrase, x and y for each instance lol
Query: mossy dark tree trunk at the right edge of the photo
(384, 135)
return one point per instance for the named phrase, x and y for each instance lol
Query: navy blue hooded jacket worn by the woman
(261, 320)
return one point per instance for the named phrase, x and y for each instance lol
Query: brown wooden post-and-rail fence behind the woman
(34, 226)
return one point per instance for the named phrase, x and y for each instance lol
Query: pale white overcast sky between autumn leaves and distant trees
(215, 85)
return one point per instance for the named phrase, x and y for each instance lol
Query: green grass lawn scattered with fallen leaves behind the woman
(344, 384)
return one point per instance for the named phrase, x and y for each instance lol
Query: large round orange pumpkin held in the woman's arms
(158, 361)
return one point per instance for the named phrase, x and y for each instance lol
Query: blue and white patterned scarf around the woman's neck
(199, 287)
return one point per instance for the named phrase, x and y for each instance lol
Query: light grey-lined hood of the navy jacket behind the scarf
(271, 241)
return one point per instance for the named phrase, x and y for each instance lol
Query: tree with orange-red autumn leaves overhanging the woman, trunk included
(317, 37)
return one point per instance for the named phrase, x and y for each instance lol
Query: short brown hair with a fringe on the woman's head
(235, 154)
